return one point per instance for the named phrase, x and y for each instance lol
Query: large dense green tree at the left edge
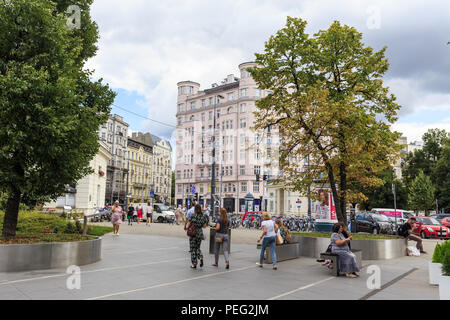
(50, 109)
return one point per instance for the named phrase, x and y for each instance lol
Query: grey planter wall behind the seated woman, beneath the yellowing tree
(371, 249)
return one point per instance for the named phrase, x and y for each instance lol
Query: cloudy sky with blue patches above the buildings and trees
(147, 46)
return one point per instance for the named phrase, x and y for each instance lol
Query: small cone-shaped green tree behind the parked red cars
(421, 193)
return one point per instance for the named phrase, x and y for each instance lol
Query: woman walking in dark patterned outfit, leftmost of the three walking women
(199, 221)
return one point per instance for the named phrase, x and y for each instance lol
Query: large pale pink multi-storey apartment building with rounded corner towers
(240, 152)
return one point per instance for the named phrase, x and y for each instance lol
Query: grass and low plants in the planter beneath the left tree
(34, 227)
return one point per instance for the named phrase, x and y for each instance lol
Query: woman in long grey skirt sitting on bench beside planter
(340, 246)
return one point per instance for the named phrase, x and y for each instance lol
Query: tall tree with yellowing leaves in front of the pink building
(328, 100)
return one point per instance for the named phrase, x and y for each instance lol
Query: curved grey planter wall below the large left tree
(24, 257)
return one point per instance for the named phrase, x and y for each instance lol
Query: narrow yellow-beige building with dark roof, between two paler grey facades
(140, 163)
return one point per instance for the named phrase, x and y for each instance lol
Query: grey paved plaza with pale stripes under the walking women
(152, 262)
